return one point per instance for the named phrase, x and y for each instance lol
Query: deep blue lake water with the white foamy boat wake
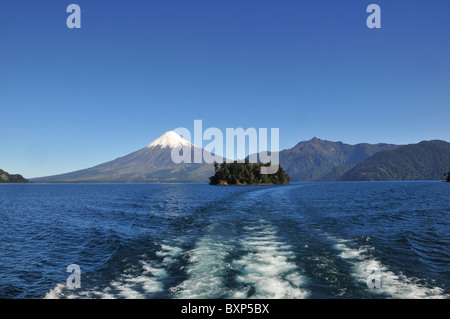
(305, 240)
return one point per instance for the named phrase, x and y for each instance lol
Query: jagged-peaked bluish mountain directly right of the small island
(318, 159)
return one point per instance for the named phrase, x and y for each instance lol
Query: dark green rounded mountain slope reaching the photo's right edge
(427, 160)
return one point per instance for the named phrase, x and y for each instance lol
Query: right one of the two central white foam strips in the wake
(266, 271)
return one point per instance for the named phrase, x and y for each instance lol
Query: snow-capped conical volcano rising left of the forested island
(151, 164)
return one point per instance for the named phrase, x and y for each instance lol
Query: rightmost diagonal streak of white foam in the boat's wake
(394, 285)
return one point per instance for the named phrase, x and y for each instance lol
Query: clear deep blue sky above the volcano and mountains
(71, 99)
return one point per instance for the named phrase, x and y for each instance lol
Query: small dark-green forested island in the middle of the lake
(246, 174)
